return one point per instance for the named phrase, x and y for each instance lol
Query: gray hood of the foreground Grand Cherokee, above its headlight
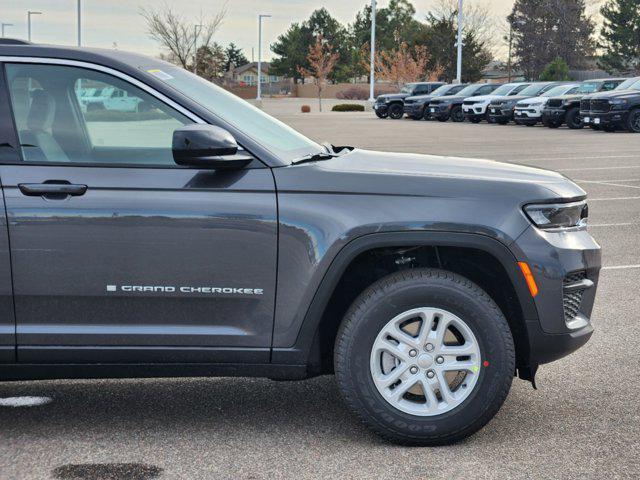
(382, 173)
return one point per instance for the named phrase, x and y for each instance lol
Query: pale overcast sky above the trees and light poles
(109, 23)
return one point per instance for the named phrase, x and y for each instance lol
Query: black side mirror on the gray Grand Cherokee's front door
(206, 146)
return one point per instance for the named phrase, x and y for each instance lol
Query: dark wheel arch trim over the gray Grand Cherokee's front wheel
(301, 351)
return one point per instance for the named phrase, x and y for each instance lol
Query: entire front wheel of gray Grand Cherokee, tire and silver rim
(424, 357)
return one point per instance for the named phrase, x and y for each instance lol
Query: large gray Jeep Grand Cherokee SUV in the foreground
(155, 225)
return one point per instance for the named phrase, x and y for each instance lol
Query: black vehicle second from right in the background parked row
(566, 108)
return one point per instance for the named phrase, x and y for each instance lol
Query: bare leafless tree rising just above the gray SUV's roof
(182, 37)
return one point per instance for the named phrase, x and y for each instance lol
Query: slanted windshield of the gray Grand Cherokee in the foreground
(272, 134)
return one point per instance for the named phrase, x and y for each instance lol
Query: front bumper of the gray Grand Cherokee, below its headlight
(566, 267)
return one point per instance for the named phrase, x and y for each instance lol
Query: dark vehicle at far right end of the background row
(617, 109)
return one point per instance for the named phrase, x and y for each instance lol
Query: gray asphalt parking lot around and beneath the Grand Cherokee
(582, 422)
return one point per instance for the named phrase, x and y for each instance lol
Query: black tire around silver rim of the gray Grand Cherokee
(400, 292)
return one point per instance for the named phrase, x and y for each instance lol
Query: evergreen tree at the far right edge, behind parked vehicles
(620, 37)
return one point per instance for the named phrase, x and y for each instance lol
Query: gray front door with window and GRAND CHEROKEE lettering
(118, 254)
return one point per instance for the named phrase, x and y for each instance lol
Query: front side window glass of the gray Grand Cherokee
(71, 114)
